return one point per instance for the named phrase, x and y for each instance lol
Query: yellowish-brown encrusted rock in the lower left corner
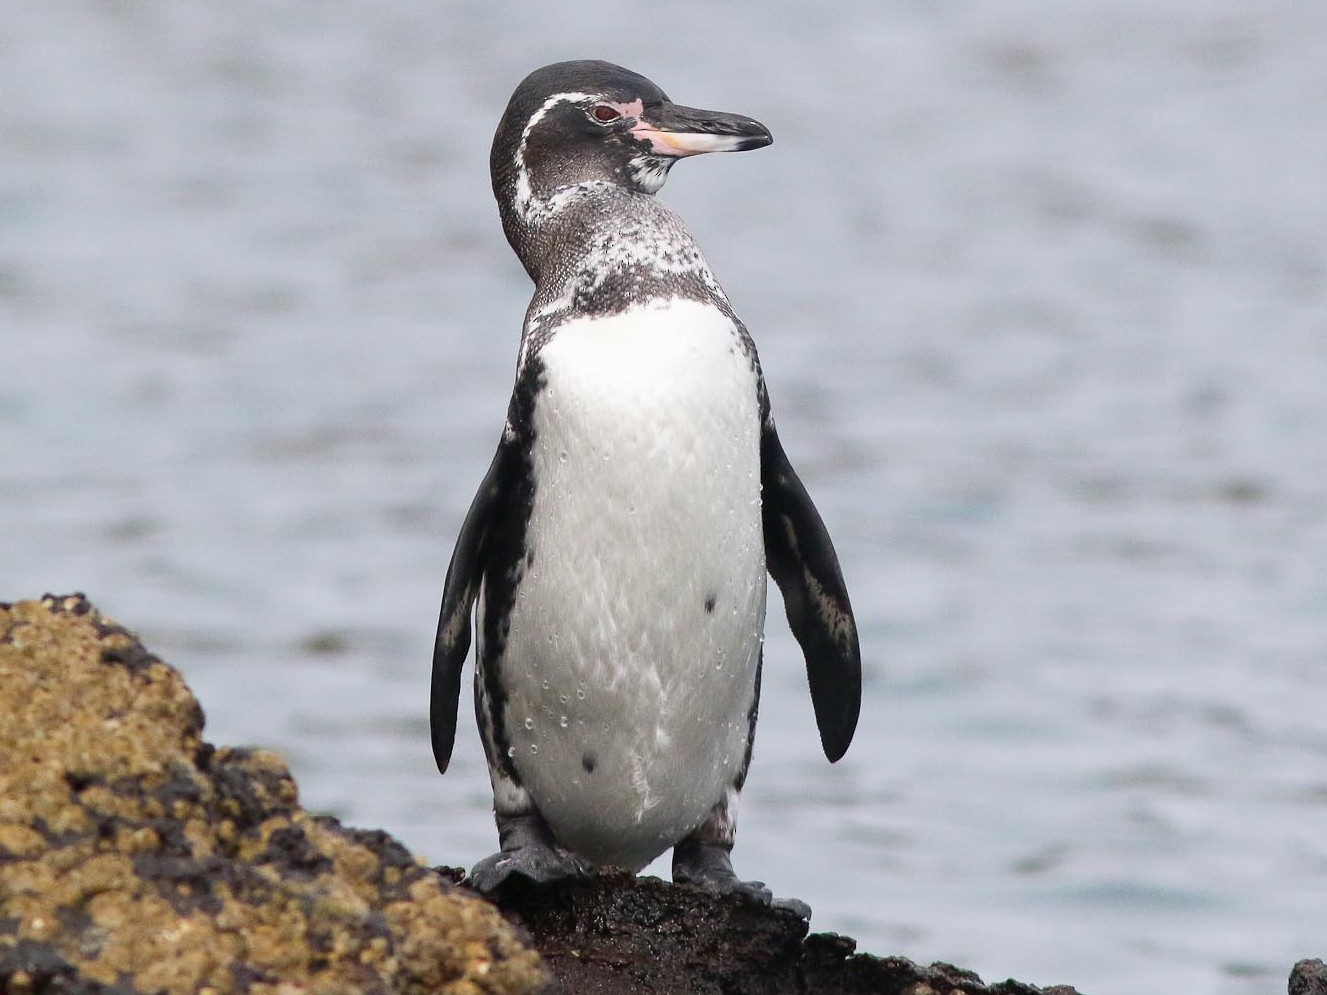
(135, 858)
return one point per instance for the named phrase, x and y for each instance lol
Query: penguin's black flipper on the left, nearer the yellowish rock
(458, 599)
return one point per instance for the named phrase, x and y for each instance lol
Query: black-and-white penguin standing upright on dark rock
(615, 557)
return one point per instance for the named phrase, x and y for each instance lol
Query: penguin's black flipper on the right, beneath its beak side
(801, 558)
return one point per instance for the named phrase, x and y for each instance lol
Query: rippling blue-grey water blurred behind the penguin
(1041, 293)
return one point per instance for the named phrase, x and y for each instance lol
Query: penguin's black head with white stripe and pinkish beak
(589, 123)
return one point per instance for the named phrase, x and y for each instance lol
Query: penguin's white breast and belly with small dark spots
(636, 631)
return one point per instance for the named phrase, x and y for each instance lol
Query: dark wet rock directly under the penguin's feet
(618, 935)
